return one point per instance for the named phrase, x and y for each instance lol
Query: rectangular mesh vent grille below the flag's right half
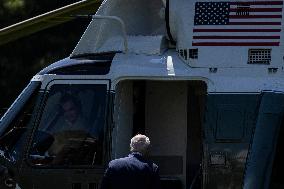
(259, 56)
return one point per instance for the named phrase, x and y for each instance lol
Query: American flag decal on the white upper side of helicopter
(247, 23)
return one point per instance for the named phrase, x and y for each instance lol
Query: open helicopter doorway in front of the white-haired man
(171, 114)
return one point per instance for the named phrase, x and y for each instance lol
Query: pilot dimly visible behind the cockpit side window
(70, 129)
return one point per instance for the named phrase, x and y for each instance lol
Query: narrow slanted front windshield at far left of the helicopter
(19, 116)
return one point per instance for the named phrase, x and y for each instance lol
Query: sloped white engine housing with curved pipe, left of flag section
(140, 23)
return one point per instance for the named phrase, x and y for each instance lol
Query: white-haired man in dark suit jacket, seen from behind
(133, 171)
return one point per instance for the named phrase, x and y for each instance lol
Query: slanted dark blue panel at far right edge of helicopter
(263, 168)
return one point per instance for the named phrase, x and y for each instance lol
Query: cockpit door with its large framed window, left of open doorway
(68, 146)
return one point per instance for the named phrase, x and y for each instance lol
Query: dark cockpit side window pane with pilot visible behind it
(71, 129)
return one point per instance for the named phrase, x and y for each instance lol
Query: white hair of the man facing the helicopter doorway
(140, 143)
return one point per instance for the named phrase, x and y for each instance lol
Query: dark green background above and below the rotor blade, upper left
(23, 58)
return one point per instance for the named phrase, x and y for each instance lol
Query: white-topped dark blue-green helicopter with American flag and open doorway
(203, 79)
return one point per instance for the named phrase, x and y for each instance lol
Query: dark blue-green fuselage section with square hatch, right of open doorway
(228, 127)
